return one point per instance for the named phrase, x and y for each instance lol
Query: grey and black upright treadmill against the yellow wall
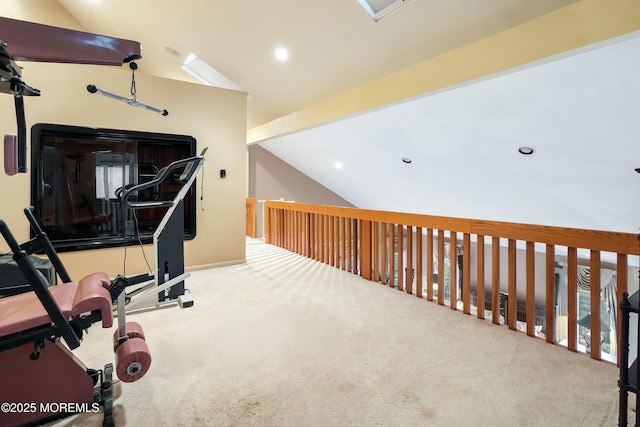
(165, 285)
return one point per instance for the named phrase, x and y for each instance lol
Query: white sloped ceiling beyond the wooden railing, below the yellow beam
(581, 113)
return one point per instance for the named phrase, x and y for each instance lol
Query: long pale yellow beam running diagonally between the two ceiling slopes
(577, 25)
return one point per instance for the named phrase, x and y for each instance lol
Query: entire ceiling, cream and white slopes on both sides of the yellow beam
(579, 112)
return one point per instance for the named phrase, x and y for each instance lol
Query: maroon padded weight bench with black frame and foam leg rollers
(41, 378)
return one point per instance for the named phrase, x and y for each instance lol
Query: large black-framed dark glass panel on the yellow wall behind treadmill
(78, 174)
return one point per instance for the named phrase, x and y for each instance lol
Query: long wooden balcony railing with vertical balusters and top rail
(402, 250)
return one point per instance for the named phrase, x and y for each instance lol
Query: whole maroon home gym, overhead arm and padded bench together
(40, 377)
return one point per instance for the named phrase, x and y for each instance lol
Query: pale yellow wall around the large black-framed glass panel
(215, 117)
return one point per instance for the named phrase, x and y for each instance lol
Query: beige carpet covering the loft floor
(286, 341)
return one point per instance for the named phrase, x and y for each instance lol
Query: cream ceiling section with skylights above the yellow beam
(334, 45)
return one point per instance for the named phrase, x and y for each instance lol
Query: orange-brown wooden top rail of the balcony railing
(608, 241)
